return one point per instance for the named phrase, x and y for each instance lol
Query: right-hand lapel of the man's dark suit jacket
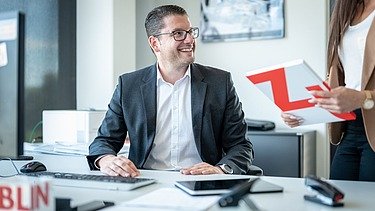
(198, 93)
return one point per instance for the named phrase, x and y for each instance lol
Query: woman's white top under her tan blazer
(351, 52)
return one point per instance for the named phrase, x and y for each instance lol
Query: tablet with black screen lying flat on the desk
(213, 187)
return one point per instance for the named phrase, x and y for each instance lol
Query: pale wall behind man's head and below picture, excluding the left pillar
(305, 37)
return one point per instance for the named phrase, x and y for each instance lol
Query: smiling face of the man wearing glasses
(176, 53)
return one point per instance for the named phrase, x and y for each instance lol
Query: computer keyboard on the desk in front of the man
(93, 181)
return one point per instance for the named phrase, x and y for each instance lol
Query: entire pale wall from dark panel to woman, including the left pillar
(305, 37)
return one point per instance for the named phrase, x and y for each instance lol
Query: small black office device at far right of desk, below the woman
(327, 193)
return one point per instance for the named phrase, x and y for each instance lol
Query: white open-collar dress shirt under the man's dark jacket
(174, 146)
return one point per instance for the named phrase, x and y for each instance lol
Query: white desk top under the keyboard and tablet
(358, 195)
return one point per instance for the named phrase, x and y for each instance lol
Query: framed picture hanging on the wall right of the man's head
(235, 20)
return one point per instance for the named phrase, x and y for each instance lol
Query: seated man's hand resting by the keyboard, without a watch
(118, 166)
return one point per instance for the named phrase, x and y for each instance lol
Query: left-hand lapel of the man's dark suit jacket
(148, 91)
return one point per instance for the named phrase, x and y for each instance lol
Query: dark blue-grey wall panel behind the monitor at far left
(49, 59)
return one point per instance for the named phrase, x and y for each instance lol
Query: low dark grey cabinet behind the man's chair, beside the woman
(287, 153)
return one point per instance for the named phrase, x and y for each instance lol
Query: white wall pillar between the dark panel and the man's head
(105, 48)
